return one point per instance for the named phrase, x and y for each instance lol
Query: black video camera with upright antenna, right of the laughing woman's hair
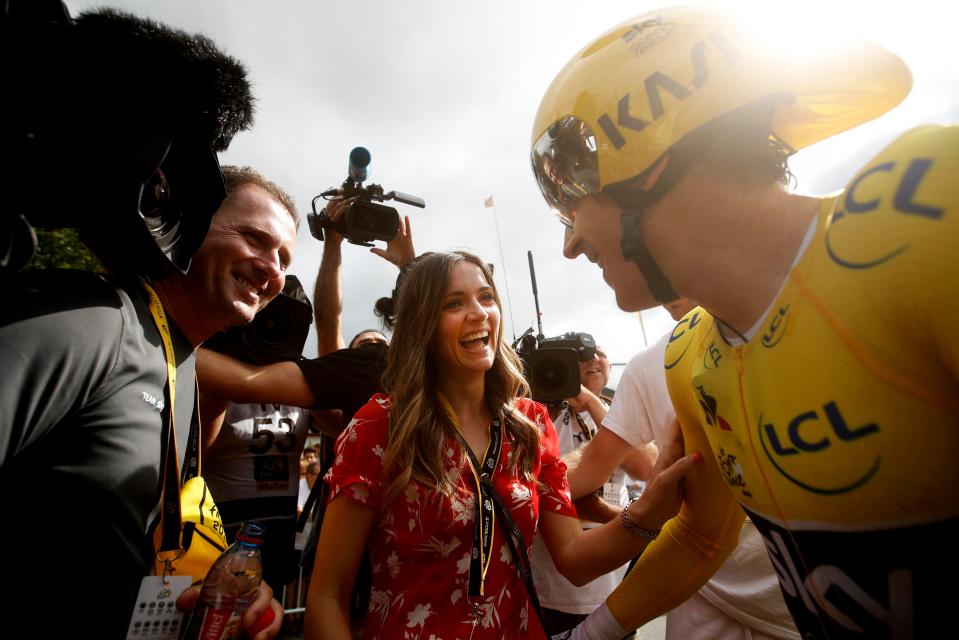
(552, 364)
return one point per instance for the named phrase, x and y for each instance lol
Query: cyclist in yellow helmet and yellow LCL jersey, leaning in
(822, 370)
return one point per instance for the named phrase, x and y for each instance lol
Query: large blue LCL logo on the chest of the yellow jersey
(816, 433)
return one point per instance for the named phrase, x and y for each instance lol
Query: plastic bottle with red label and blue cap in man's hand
(229, 589)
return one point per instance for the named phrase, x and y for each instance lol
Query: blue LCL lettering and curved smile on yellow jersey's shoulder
(856, 201)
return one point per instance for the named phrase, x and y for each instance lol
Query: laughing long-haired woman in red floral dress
(405, 486)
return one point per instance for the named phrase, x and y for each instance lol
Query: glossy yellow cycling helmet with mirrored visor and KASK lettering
(622, 102)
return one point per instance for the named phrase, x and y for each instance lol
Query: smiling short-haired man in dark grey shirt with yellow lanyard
(85, 406)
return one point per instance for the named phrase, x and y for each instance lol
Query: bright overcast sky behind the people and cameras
(443, 94)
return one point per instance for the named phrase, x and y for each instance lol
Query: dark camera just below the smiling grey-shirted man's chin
(277, 333)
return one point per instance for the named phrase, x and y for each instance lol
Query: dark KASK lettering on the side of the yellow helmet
(658, 81)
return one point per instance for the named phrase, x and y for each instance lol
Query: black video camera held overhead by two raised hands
(364, 221)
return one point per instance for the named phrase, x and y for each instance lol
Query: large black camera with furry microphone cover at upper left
(135, 166)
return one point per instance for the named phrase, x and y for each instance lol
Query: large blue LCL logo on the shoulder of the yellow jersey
(870, 192)
